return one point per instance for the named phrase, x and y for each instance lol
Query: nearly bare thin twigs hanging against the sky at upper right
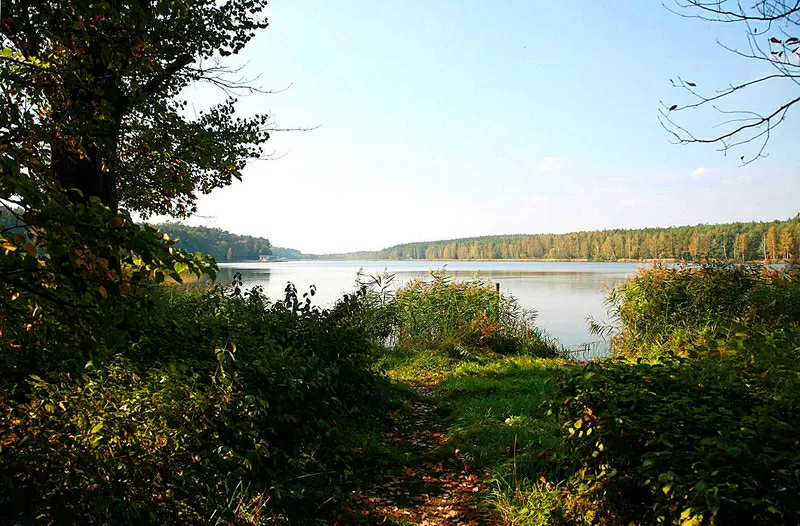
(772, 30)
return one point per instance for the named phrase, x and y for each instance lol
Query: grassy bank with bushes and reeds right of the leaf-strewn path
(690, 423)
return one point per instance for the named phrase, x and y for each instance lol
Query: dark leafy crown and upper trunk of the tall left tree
(91, 98)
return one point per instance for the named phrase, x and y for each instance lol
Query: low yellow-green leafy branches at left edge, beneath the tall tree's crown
(70, 271)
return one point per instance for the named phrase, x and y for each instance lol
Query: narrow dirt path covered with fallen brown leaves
(433, 487)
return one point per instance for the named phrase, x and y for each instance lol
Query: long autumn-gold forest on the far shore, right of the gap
(772, 241)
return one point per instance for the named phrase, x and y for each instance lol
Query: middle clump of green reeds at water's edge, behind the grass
(466, 317)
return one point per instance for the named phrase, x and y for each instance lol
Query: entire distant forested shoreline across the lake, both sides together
(770, 242)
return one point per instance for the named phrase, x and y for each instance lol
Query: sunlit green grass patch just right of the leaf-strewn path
(498, 425)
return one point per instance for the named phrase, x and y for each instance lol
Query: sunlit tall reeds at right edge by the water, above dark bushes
(665, 309)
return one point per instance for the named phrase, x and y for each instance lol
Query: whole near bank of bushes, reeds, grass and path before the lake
(219, 406)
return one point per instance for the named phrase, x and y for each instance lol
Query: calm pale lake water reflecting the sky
(563, 294)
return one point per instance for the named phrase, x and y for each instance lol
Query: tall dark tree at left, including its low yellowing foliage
(93, 128)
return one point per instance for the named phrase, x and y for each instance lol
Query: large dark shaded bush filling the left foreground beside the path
(222, 408)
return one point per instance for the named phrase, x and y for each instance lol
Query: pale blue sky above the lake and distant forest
(439, 120)
